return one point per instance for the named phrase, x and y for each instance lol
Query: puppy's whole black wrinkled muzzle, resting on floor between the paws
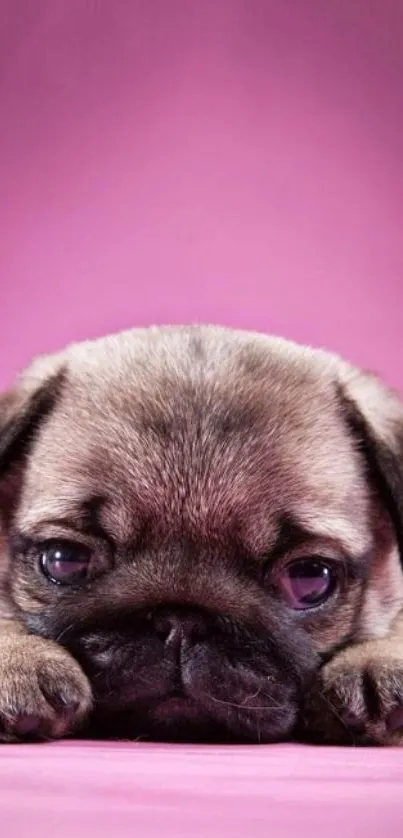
(230, 686)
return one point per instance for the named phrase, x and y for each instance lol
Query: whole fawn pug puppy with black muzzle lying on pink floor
(202, 536)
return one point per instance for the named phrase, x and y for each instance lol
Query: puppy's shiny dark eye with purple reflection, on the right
(307, 583)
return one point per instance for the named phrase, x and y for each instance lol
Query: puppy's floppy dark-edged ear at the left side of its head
(22, 410)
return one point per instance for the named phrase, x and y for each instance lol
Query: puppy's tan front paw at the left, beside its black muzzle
(44, 694)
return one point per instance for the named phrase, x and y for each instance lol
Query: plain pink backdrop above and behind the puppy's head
(235, 161)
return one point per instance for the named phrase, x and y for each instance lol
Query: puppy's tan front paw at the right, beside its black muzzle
(358, 697)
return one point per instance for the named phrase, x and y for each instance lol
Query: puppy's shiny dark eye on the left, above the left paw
(64, 563)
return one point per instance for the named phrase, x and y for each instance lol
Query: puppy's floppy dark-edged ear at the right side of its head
(375, 415)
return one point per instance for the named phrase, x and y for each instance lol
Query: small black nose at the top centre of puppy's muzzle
(174, 626)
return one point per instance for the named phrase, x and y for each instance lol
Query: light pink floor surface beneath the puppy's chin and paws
(100, 791)
